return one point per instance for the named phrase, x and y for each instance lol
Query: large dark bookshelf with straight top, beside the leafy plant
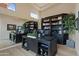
(55, 25)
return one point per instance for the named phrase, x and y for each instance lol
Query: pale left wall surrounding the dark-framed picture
(4, 20)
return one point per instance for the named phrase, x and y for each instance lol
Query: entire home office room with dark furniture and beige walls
(39, 29)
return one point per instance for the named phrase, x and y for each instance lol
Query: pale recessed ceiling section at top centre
(42, 6)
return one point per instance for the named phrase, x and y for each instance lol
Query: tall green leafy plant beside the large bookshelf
(69, 23)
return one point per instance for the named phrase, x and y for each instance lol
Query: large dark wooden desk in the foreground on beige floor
(34, 45)
